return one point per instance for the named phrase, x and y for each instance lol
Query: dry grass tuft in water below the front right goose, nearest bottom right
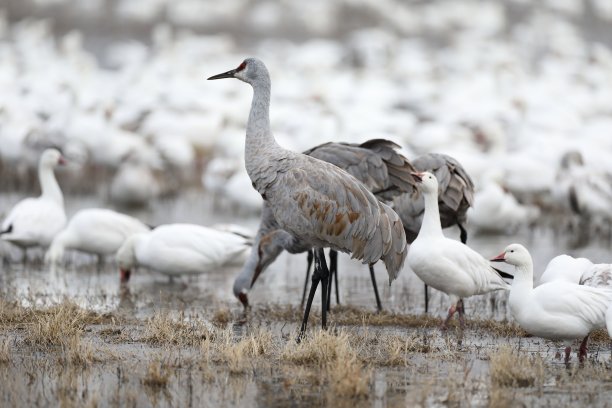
(509, 368)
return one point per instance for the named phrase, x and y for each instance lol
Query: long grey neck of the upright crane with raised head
(260, 143)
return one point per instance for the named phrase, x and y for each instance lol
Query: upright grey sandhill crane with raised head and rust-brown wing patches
(313, 200)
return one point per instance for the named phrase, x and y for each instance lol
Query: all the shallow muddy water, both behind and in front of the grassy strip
(456, 376)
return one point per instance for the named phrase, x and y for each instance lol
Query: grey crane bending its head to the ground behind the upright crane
(377, 163)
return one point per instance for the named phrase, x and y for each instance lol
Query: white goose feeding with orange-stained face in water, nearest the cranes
(176, 249)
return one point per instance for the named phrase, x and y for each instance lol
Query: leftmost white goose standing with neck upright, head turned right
(35, 221)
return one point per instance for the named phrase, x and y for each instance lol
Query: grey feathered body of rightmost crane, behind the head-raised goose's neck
(456, 194)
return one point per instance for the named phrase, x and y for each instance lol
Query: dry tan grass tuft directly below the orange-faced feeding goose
(162, 329)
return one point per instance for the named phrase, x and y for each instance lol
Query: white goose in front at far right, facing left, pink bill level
(556, 310)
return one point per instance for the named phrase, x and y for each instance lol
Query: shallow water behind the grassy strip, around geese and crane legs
(97, 286)
